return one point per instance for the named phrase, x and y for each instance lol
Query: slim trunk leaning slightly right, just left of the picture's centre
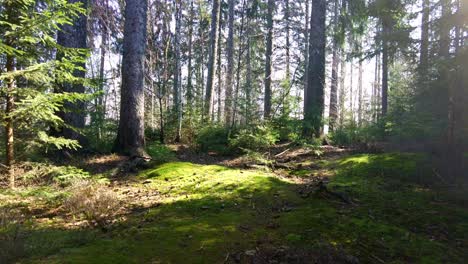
(212, 59)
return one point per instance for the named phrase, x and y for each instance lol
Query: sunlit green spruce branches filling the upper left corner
(28, 35)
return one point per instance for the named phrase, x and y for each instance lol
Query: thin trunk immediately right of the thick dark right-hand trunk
(334, 79)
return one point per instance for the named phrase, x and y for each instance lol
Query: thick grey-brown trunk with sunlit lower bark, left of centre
(131, 131)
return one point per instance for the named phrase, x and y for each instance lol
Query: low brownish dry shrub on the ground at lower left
(92, 201)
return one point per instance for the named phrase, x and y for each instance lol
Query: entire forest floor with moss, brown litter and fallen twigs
(297, 207)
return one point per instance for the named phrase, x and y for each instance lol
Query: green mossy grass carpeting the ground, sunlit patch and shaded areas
(208, 211)
